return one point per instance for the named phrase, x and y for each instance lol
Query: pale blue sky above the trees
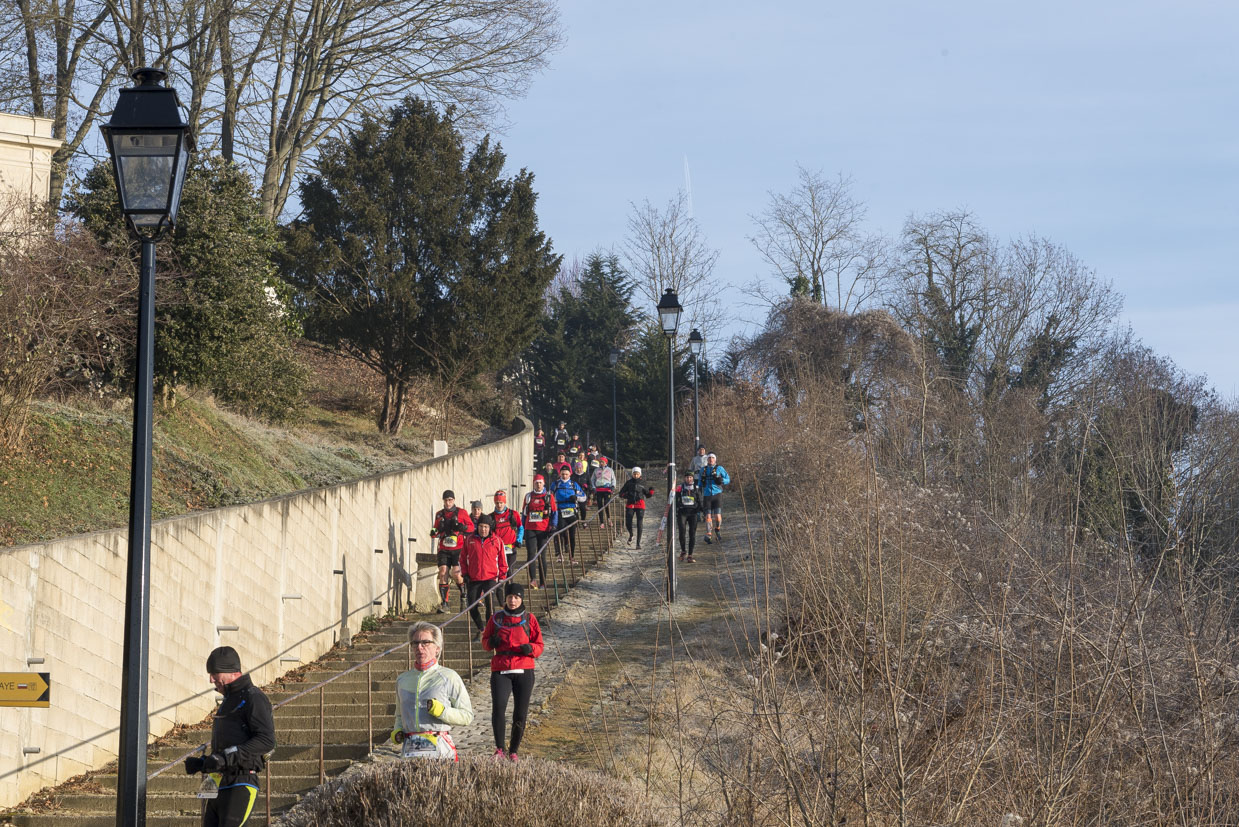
(1108, 128)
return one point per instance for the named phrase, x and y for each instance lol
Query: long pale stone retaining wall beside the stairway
(294, 576)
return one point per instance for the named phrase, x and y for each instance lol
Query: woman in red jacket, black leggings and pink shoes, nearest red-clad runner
(516, 639)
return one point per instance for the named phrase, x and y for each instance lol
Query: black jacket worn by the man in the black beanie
(243, 732)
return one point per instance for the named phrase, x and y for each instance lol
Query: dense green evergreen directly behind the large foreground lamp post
(222, 322)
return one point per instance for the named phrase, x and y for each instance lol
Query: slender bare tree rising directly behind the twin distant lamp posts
(666, 249)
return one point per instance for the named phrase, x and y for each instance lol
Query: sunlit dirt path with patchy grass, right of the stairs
(613, 640)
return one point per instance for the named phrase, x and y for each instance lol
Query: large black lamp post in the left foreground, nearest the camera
(151, 148)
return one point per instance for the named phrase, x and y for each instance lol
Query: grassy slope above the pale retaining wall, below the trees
(71, 474)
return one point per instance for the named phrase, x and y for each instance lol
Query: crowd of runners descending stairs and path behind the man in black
(478, 551)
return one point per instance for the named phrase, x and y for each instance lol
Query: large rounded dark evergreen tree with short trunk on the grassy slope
(418, 259)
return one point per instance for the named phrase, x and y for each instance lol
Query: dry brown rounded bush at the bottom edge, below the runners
(476, 793)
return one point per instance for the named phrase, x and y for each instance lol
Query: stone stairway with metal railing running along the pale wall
(357, 715)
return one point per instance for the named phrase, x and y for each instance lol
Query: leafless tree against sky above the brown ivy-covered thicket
(812, 237)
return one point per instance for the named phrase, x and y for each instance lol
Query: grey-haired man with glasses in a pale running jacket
(429, 700)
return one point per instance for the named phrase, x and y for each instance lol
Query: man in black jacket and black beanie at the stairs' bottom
(241, 737)
